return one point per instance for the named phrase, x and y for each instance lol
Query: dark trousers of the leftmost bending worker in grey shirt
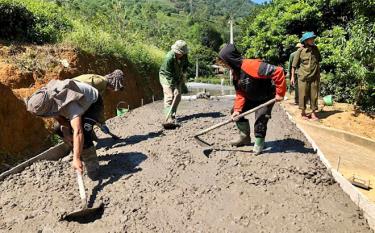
(89, 119)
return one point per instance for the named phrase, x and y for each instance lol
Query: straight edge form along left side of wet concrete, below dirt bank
(53, 153)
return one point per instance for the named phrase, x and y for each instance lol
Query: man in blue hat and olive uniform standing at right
(307, 60)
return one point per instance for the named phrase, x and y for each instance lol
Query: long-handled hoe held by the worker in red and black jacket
(207, 146)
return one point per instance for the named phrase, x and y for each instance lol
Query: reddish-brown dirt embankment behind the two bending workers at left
(23, 69)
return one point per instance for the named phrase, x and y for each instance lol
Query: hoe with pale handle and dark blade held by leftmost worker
(85, 215)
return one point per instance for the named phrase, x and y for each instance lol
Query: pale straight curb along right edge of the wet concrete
(357, 197)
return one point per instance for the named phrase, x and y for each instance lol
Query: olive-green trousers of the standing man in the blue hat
(308, 91)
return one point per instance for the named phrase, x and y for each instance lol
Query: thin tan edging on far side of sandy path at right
(349, 137)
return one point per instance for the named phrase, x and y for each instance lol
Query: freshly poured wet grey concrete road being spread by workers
(155, 181)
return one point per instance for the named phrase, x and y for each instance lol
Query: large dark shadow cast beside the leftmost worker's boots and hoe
(119, 165)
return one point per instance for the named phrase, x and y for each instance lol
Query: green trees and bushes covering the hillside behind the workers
(142, 31)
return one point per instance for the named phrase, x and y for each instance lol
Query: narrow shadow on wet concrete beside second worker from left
(134, 139)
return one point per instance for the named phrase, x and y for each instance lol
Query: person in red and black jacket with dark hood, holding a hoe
(255, 82)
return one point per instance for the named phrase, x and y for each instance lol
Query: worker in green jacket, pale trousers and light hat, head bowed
(171, 76)
